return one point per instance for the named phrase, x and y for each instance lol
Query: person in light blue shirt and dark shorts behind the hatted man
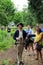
(29, 40)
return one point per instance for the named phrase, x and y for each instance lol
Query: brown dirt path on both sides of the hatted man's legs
(12, 54)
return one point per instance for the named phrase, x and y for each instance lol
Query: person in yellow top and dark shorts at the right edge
(38, 40)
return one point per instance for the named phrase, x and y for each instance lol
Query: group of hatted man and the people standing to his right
(27, 38)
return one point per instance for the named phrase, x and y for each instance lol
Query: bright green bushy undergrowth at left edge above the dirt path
(6, 40)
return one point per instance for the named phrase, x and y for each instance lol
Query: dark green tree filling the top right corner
(36, 6)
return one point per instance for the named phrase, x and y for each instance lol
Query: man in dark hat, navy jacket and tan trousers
(20, 36)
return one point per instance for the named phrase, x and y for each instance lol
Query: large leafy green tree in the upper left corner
(7, 12)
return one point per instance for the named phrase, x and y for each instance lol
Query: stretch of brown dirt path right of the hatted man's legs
(30, 60)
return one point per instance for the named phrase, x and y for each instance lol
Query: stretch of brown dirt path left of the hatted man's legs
(9, 54)
